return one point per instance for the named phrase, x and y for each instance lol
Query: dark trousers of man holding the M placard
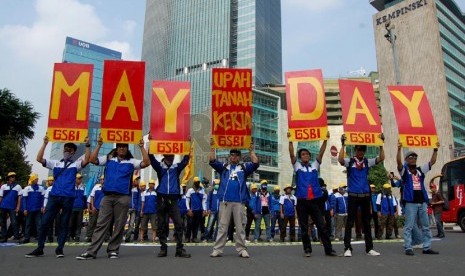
(54, 205)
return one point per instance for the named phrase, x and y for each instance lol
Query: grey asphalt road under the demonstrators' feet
(266, 259)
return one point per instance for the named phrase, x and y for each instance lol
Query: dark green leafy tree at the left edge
(17, 119)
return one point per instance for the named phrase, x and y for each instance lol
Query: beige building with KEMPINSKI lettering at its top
(423, 43)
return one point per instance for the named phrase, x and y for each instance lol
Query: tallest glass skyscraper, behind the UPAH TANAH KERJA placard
(184, 40)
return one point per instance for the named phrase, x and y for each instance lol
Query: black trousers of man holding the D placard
(306, 208)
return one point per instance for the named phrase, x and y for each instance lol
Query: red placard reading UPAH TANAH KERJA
(232, 107)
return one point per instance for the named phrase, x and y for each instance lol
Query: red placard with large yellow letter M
(68, 119)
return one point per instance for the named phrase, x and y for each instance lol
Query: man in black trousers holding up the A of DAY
(359, 193)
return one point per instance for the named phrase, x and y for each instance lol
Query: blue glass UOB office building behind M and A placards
(78, 51)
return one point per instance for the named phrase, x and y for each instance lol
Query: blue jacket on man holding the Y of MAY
(168, 177)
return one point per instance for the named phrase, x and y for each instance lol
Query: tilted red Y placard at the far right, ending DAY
(414, 117)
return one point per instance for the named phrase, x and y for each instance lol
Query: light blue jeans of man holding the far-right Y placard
(416, 212)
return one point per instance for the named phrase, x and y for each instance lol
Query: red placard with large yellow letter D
(306, 105)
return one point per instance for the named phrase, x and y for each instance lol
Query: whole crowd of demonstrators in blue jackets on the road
(121, 206)
